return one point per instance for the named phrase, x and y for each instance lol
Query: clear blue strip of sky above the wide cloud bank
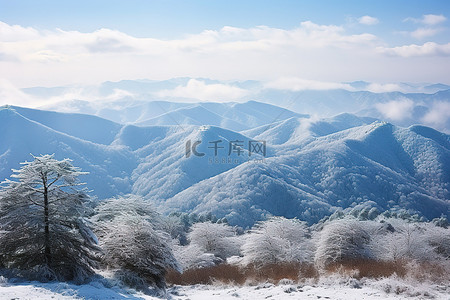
(174, 18)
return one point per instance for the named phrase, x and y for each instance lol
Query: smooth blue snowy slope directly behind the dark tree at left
(109, 166)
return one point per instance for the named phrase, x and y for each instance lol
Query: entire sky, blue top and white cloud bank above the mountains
(266, 40)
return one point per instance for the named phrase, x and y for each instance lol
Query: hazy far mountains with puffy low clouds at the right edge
(400, 108)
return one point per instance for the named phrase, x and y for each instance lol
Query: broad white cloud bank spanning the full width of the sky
(325, 52)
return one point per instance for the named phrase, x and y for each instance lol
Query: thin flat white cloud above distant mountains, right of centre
(299, 84)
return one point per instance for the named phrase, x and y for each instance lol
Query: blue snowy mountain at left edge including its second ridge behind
(109, 166)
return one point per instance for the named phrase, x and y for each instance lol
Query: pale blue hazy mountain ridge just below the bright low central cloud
(230, 115)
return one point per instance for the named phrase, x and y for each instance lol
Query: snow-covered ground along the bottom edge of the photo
(352, 289)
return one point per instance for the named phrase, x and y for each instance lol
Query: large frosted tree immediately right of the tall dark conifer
(133, 244)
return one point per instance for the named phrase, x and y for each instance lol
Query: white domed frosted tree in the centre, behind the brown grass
(277, 240)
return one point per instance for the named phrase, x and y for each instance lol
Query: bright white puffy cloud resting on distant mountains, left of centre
(197, 89)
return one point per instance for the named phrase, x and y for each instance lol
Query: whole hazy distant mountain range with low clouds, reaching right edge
(186, 101)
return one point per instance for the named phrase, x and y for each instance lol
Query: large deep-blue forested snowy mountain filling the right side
(377, 165)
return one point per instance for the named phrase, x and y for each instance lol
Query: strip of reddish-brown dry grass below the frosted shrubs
(231, 274)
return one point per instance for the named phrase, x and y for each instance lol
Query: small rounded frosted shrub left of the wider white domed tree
(218, 239)
